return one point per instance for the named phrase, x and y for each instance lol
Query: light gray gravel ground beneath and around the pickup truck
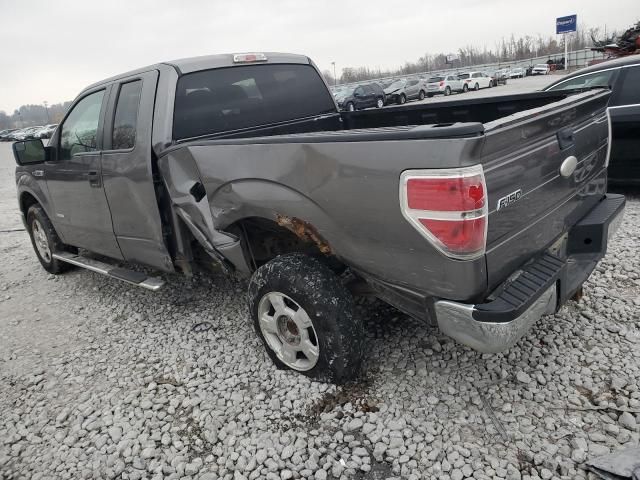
(102, 380)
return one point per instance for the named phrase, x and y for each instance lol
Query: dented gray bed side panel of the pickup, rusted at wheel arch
(346, 191)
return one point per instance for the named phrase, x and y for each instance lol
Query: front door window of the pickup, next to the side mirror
(79, 131)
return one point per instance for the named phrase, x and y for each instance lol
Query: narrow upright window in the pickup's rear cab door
(126, 117)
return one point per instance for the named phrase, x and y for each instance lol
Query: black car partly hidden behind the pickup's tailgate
(623, 77)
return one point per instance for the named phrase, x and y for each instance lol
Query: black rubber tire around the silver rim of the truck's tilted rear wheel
(316, 289)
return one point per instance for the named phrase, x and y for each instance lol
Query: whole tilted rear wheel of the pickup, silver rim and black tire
(305, 318)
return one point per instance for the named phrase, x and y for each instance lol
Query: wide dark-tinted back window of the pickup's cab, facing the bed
(226, 99)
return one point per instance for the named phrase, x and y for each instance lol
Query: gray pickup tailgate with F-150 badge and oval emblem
(531, 203)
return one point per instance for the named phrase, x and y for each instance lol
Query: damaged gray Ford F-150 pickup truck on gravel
(478, 215)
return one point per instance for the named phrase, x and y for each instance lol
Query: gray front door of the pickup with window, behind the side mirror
(74, 178)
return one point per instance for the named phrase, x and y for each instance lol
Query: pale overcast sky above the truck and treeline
(50, 50)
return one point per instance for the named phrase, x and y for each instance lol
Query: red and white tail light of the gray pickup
(448, 207)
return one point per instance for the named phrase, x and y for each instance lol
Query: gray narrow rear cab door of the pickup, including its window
(128, 171)
